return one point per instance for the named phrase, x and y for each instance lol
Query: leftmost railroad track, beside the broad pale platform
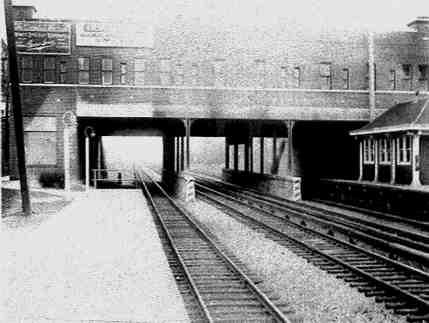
(219, 290)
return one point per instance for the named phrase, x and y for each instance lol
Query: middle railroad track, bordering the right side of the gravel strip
(400, 287)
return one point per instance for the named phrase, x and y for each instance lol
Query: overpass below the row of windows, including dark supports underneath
(307, 129)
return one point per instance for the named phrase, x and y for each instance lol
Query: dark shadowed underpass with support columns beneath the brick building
(254, 150)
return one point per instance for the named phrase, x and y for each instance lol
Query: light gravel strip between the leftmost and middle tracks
(315, 295)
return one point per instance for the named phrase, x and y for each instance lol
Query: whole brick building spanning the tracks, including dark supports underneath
(310, 89)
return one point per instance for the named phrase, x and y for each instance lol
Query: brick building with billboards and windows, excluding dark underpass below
(104, 70)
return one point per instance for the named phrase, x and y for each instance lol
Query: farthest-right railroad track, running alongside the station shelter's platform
(409, 244)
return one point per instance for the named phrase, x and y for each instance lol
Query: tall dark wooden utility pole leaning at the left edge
(16, 104)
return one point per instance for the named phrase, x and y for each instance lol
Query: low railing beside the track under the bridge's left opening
(113, 178)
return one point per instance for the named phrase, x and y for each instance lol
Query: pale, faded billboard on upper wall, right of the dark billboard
(116, 34)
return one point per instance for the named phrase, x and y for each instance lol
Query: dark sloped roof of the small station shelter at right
(410, 116)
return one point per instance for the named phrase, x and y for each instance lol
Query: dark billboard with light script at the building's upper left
(42, 37)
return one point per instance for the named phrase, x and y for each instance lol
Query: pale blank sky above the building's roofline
(376, 15)
